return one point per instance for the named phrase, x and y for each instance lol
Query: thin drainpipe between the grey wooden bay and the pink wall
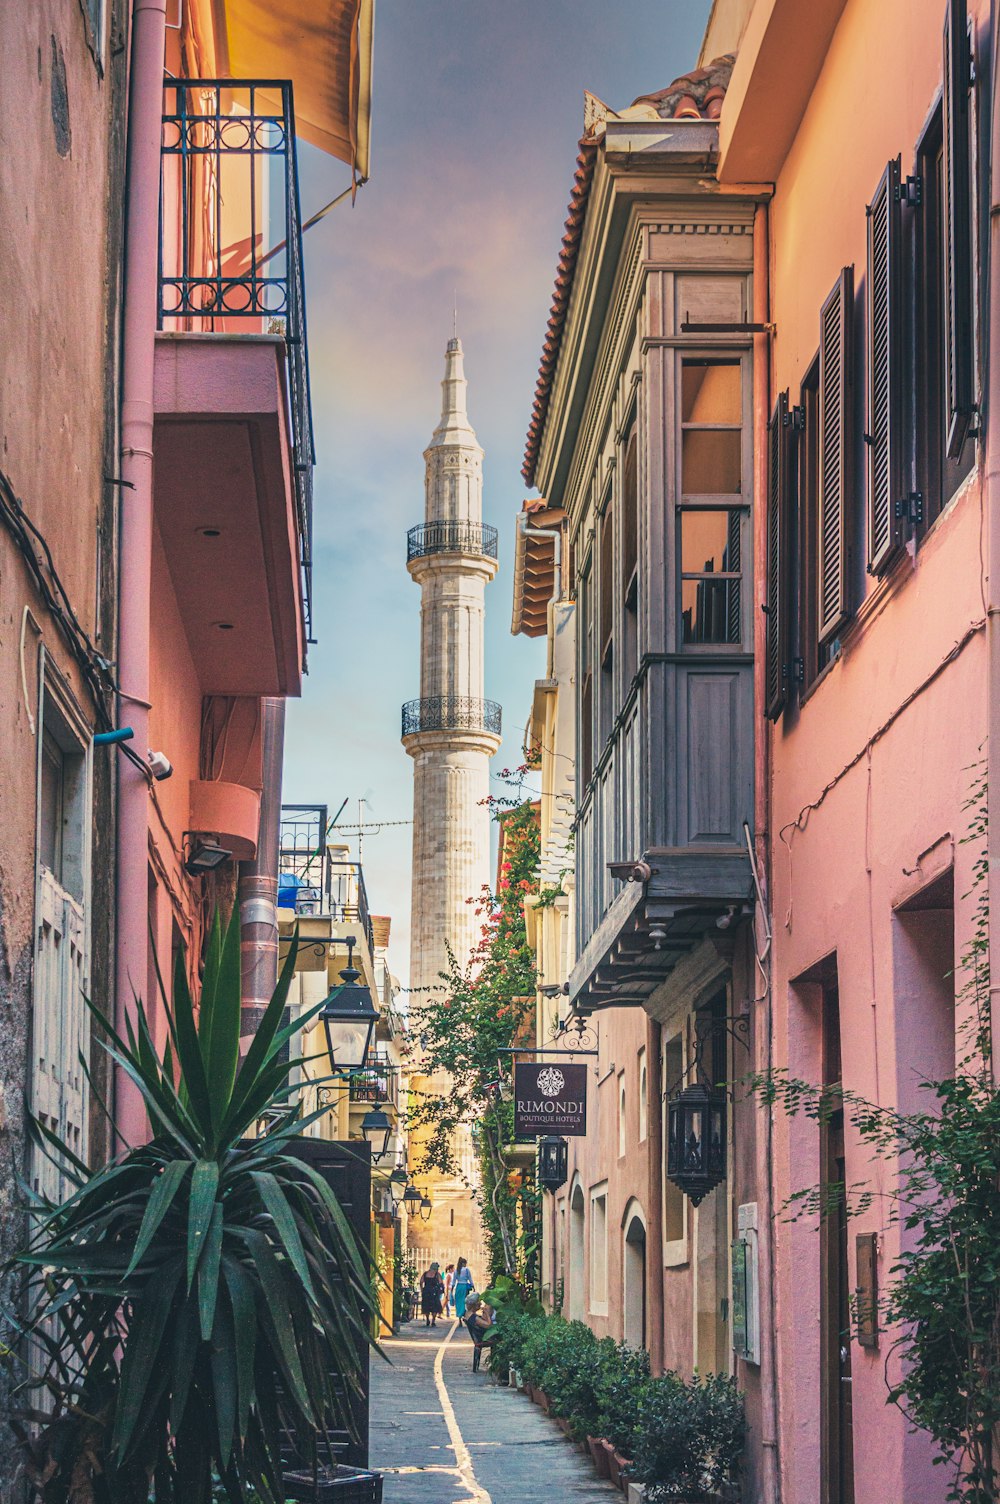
(765, 1022)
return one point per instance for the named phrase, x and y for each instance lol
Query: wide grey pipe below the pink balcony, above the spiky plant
(259, 884)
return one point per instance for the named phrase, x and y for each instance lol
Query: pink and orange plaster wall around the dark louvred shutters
(889, 816)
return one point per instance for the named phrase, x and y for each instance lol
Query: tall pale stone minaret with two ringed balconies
(452, 732)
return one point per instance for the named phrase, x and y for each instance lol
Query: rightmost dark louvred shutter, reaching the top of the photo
(959, 229)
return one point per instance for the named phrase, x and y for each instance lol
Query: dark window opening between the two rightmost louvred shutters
(939, 475)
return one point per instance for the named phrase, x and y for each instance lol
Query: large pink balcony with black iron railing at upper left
(234, 438)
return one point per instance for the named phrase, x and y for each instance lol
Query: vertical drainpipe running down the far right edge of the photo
(992, 502)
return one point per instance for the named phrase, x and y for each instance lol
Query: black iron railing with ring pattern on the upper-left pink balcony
(231, 241)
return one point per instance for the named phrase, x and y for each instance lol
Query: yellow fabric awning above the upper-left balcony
(326, 49)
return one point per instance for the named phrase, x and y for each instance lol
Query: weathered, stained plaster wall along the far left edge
(62, 130)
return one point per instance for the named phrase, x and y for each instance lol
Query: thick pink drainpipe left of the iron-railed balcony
(142, 246)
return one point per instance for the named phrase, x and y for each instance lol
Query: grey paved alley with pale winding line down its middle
(446, 1436)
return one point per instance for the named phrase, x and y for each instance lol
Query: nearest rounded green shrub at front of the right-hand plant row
(688, 1439)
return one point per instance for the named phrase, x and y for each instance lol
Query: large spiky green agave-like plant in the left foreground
(202, 1294)
